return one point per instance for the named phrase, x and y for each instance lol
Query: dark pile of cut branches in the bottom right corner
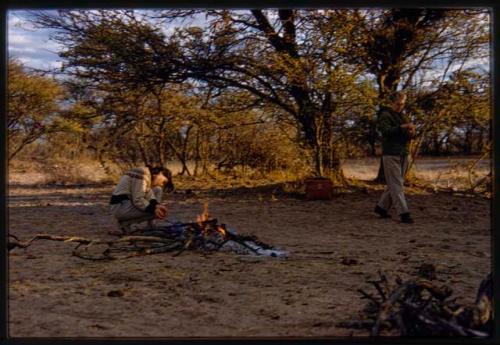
(420, 307)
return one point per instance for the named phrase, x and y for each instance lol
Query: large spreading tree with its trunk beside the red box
(291, 61)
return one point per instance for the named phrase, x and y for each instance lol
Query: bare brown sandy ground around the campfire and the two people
(53, 294)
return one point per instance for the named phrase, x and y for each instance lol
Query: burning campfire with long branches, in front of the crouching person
(205, 235)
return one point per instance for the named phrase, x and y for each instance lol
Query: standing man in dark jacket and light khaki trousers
(397, 132)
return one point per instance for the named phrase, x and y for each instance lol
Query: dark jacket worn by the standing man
(395, 140)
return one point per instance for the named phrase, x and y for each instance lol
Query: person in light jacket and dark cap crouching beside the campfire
(137, 196)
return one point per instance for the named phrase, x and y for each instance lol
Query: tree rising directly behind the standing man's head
(398, 46)
